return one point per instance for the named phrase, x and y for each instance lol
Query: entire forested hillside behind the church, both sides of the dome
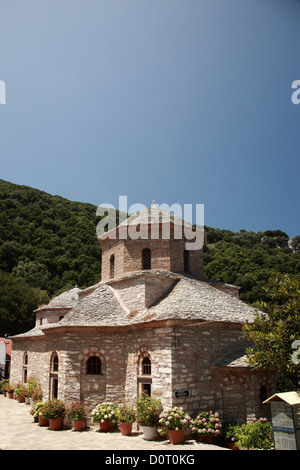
(48, 244)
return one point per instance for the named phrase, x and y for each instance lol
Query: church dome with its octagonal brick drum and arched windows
(153, 238)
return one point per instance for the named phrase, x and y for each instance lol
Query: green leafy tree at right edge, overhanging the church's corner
(275, 328)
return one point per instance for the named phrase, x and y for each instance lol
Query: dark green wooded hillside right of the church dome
(249, 259)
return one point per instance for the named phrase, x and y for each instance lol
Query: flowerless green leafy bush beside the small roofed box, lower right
(255, 435)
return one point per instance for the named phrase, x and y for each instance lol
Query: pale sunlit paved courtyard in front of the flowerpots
(19, 432)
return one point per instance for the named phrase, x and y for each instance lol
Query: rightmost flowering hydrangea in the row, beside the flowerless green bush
(207, 425)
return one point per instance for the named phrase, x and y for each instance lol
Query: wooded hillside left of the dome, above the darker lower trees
(48, 241)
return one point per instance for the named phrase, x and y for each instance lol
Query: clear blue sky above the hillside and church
(181, 101)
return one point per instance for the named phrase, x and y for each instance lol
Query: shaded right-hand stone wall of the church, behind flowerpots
(232, 391)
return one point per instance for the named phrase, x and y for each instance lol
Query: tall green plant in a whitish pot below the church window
(148, 410)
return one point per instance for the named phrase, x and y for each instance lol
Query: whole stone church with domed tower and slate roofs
(153, 323)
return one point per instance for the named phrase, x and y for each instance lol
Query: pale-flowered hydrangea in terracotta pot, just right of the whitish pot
(174, 422)
